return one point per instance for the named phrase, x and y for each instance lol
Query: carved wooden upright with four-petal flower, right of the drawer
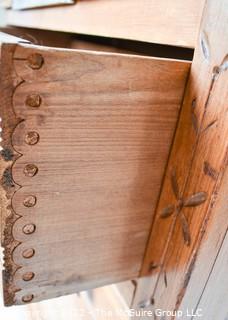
(195, 169)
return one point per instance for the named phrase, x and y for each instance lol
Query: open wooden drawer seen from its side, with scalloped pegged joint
(85, 140)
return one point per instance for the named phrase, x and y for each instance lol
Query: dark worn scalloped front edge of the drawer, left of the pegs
(9, 81)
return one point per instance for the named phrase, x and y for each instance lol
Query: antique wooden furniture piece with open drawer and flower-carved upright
(114, 166)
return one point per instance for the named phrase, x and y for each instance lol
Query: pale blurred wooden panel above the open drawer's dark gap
(166, 22)
